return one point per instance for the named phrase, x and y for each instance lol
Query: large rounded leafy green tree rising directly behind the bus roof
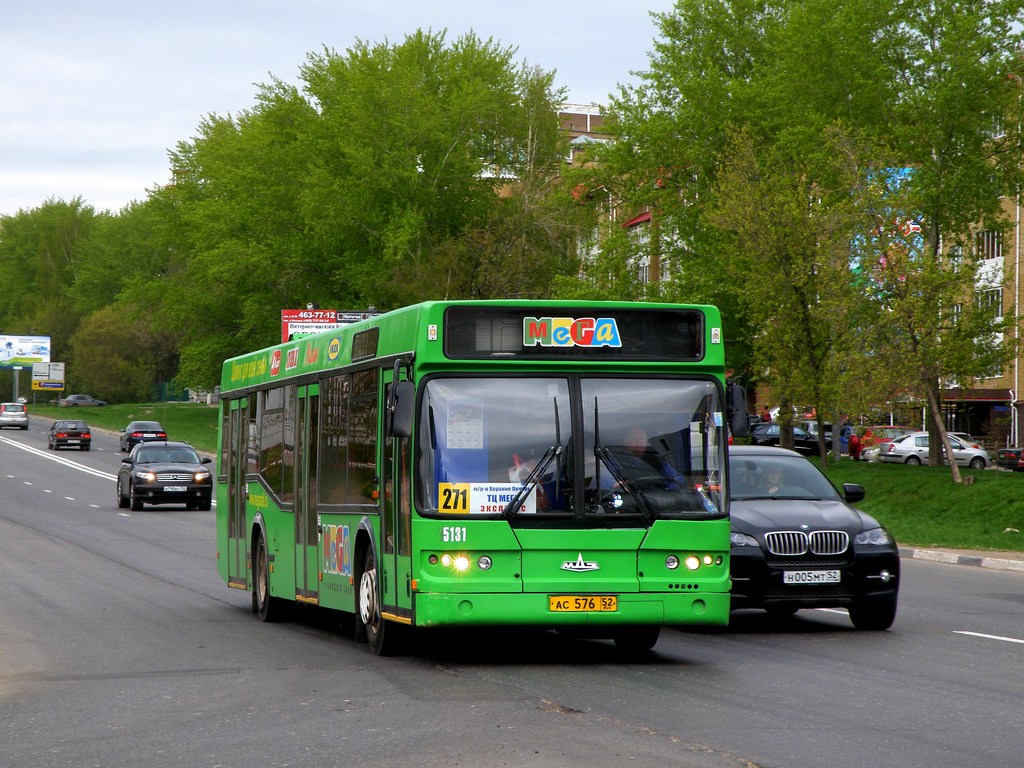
(398, 173)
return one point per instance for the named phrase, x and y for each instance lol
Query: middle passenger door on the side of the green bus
(307, 538)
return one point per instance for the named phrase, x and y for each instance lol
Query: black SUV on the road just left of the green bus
(164, 474)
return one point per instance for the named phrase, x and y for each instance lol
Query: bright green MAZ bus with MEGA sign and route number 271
(548, 464)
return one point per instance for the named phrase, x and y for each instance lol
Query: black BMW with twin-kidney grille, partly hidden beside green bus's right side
(797, 543)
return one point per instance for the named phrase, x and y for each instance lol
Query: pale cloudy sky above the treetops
(95, 96)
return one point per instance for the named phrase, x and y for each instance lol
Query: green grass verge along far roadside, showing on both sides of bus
(920, 505)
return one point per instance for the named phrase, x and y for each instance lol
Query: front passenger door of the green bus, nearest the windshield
(397, 522)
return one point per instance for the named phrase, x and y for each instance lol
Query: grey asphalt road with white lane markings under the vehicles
(120, 647)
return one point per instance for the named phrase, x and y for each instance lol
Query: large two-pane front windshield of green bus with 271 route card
(580, 447)
